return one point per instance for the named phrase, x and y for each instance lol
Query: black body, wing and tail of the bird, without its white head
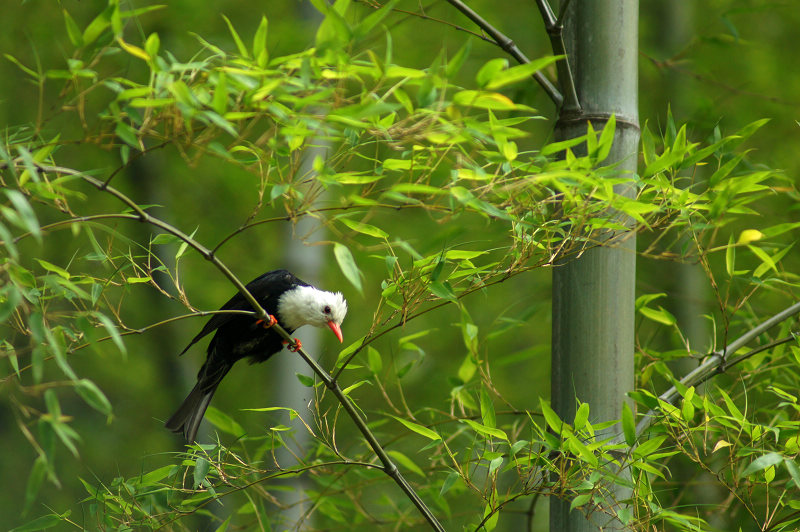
(237, 336)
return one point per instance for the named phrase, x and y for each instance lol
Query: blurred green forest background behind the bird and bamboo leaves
(731, 67)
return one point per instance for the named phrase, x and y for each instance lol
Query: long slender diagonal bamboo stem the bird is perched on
(388, 466)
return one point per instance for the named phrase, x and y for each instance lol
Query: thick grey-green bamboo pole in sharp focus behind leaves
(593, 296)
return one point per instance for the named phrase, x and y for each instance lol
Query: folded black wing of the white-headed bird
(263, 288)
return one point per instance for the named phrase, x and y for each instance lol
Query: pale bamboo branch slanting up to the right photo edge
(718, 362)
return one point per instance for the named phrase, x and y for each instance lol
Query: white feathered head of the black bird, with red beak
(306, 305)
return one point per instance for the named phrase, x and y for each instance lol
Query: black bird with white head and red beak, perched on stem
(293, 302)
